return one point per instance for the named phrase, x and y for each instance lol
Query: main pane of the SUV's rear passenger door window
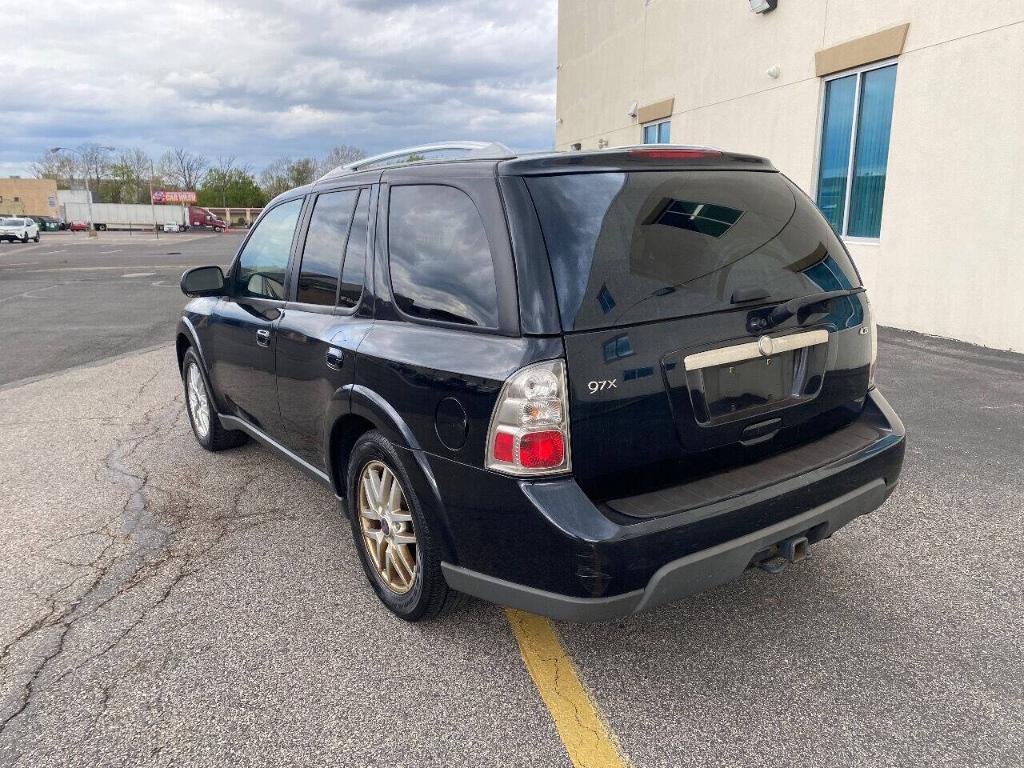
(323, 251)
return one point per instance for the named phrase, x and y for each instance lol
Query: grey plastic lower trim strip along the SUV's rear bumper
(677, 579)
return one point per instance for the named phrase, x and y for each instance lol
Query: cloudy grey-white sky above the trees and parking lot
(261, 79)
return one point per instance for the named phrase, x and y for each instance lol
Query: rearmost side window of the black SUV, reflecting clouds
(441, 262)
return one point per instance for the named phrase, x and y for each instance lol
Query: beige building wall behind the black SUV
(948, 262)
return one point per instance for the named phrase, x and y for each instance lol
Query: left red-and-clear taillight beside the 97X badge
(529, 433)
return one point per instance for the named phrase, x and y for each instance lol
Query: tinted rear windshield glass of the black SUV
(638, 247)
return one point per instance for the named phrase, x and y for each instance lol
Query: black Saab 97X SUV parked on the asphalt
(581, 385)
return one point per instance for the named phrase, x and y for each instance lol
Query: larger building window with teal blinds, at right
(859, 113)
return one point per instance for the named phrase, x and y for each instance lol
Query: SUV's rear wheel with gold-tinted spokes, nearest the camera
(393, 536)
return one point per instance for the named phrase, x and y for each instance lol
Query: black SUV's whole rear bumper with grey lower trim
(545, 547)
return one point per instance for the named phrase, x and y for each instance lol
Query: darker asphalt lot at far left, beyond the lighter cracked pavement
(71, 300)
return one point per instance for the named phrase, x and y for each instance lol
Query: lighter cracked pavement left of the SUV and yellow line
(164, 606)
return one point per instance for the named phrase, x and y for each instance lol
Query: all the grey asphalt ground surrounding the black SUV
(164, 607)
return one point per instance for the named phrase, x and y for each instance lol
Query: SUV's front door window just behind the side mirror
(265, 260)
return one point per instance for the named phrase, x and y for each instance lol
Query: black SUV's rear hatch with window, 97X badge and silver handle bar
(666, 281)
